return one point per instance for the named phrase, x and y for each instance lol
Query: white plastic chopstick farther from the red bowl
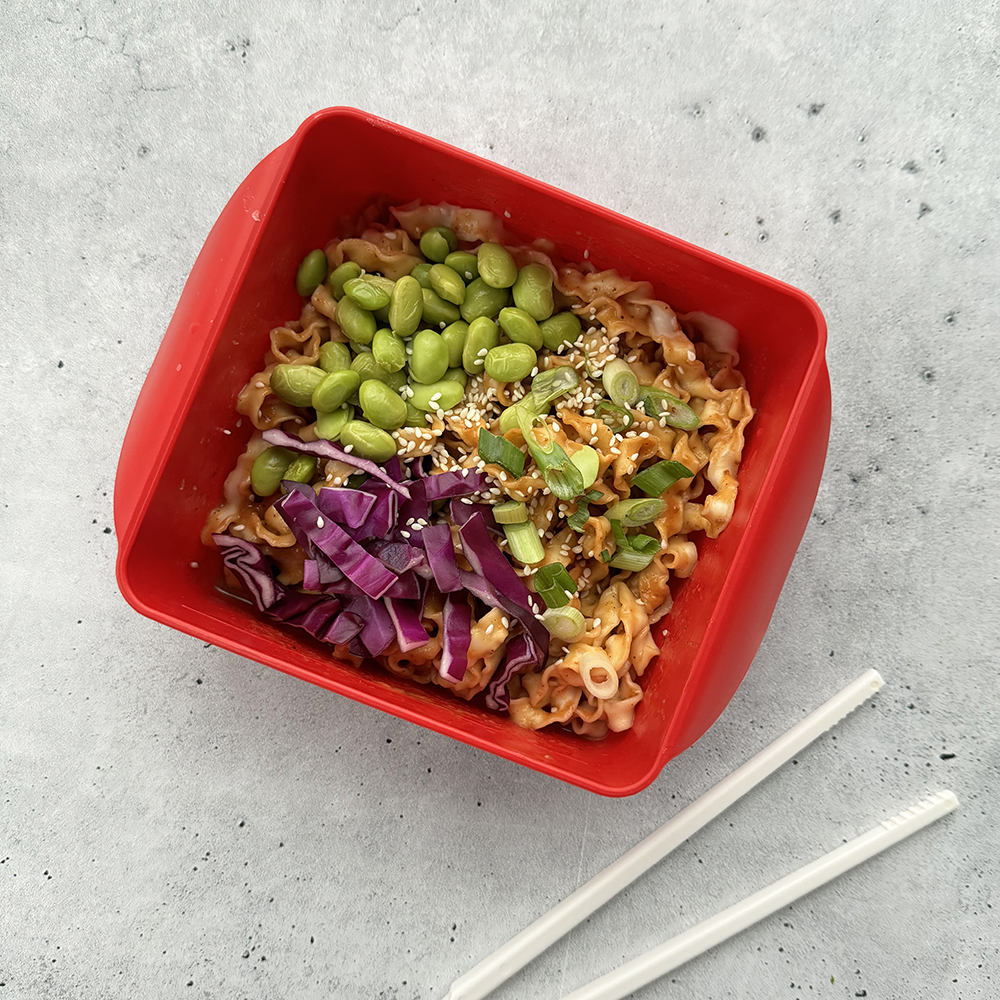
(658, 961)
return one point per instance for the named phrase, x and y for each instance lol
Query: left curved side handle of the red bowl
(214, 269)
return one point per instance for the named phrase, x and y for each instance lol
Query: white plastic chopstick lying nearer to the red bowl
(563, 917)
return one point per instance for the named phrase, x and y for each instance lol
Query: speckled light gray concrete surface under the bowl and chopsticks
(177, 822)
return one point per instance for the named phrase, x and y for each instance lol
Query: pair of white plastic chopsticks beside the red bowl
(576, 907)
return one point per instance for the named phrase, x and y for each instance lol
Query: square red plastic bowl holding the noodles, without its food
(182, 440)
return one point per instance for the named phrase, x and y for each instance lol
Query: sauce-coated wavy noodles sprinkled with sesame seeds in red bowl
(591, 685)
